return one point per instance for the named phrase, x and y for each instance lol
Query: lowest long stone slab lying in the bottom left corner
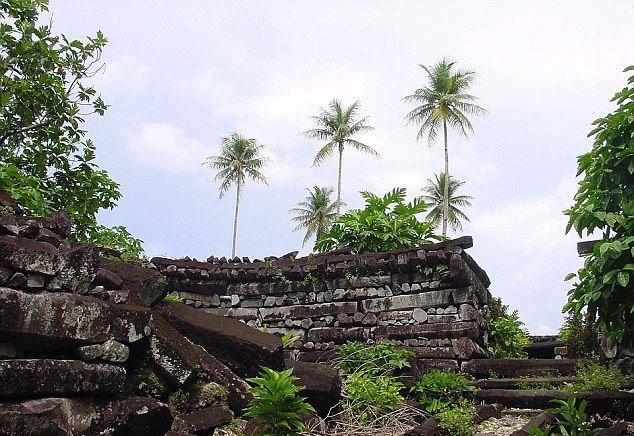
(85, 416)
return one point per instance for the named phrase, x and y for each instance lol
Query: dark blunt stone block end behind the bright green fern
(322, 383)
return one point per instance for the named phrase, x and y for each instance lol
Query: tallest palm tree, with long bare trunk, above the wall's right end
(444, 102)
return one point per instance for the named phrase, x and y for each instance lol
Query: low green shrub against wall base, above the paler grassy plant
(379, 359)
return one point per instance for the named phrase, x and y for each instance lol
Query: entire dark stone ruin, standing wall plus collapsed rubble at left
(89, 346)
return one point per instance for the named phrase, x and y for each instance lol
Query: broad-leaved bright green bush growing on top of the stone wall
(386, 223)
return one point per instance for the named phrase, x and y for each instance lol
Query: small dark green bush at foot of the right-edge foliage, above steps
(580, 336)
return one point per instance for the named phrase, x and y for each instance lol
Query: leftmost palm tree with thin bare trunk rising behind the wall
(239, 159)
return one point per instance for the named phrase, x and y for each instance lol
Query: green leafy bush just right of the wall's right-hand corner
(508, 337)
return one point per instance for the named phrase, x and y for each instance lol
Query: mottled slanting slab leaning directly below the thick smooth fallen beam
(177, 358)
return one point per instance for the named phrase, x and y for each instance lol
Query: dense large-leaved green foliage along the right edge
(605, 202)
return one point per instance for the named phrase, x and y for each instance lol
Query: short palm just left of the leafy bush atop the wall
(315, 213)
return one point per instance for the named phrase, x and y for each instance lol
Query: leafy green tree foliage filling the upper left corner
(46, 161)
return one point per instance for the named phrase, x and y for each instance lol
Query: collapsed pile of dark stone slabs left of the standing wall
(88, 346)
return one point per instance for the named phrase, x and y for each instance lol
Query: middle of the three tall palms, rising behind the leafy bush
(337, 125)
